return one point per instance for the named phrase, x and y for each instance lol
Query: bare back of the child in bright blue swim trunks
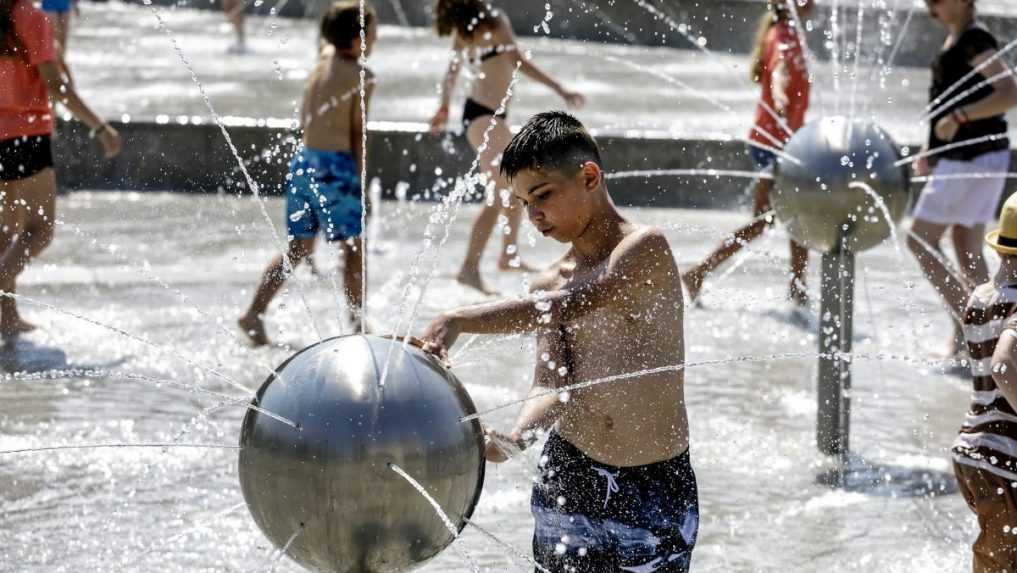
(331, 99)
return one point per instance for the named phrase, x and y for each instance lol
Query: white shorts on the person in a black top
(954, 200)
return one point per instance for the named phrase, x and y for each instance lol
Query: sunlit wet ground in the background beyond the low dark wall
(128, 66)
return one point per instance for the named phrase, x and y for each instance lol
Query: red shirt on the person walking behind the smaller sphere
(783, 45)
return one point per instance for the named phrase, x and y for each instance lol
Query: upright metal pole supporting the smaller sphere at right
(836, 310)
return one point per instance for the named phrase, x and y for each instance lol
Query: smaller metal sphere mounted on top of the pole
(818, 197)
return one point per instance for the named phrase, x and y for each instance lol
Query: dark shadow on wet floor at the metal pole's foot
(859, 476)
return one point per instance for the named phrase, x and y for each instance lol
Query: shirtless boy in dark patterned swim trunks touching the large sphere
(617, 491)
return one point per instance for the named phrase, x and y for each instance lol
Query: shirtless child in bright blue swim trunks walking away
(324, 191)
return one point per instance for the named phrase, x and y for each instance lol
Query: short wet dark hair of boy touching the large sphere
(552, 141)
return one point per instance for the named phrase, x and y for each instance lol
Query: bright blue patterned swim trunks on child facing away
(324, 194)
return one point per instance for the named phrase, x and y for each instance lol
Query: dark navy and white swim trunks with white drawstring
(595, 519)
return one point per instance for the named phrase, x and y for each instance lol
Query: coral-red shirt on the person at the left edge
(25, 105)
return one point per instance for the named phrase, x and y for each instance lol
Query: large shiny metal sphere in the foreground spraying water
(331, 479)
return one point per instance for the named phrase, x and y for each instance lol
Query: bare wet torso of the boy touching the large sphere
(638, 421)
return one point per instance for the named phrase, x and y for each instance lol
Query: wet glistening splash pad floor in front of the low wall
(183, 288)
